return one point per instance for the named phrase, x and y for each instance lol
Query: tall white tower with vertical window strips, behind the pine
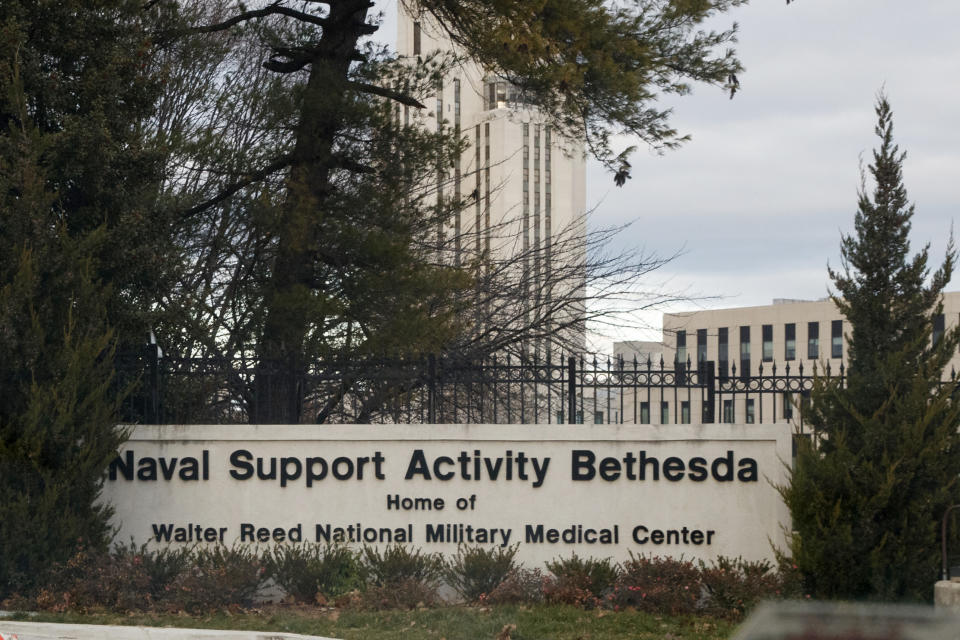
(522, 185)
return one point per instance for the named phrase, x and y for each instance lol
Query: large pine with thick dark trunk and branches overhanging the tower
(597, 69)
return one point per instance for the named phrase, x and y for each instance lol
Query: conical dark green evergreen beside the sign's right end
(867, 494)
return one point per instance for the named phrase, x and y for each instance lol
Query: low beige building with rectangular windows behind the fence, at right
(758, 355)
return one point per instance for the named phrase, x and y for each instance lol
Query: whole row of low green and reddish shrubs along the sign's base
(205, 579)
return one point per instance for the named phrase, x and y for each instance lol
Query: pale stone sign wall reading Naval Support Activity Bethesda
(697, 491)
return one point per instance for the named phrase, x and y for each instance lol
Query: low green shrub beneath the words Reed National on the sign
(306, 570)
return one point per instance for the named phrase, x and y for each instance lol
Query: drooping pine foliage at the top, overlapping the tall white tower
(597, 68)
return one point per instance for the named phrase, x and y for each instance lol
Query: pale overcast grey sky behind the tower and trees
(758, 198)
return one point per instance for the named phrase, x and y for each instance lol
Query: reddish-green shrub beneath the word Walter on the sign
(220, 577)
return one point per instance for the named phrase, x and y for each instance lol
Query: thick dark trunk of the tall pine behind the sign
(282, 363)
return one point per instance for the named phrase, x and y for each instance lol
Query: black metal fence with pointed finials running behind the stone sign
(437, 390)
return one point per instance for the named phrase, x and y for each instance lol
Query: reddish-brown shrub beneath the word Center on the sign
(655, 584)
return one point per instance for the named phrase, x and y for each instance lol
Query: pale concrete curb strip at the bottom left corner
(51, 631)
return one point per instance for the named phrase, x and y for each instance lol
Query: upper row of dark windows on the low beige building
(766, 353)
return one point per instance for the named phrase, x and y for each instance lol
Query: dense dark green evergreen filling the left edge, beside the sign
(75, 185)
